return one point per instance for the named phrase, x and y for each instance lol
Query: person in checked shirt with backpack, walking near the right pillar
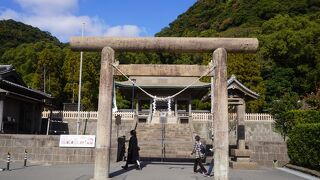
(198, 156)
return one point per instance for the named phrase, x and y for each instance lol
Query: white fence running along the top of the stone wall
(130, 115)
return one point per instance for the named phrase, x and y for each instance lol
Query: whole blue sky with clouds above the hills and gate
(64, 18)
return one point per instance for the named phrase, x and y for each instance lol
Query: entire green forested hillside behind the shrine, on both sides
(284, 70)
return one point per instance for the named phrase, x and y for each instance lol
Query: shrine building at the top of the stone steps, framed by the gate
(167, 95)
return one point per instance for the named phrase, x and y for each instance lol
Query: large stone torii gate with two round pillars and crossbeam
(219, 47)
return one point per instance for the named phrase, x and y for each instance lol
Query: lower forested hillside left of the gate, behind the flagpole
(44, 62)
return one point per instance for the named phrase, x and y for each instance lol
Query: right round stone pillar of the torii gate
(220, 114)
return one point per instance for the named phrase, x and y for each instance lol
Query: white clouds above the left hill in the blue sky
(57, 17)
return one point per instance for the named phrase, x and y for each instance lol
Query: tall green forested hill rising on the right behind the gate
(287, 64)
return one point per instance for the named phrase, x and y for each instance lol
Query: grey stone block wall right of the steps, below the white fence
(267, 146)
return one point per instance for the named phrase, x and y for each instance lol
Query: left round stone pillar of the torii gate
(103, 143)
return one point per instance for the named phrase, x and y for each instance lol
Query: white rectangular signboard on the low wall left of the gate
(86, 141)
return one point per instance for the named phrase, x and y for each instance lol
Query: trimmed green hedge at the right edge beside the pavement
(304, 145)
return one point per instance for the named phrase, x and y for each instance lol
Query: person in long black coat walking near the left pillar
(133, 151)
